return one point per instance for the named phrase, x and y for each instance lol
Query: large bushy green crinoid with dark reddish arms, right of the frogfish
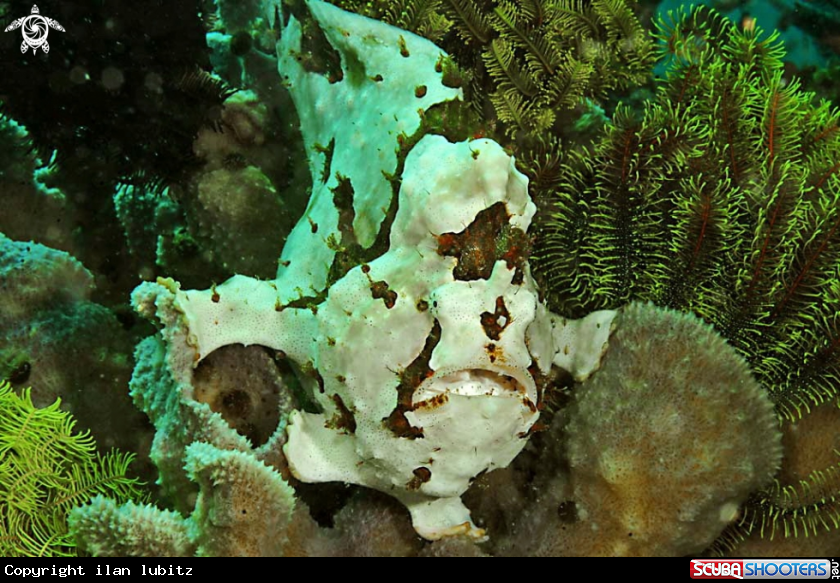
(721, 199)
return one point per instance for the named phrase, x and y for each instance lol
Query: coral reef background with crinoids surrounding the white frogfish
(158, 140)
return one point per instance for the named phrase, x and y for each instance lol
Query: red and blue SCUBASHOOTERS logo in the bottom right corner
(760, 569)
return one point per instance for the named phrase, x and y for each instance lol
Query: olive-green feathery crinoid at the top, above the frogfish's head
(527, 63)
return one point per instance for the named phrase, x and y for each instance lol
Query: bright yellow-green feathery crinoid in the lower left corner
(46, 468)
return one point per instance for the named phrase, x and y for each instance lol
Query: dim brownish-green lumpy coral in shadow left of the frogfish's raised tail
(193, 229)
